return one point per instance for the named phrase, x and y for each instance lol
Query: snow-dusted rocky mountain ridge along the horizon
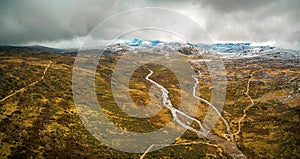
(225, 50)
